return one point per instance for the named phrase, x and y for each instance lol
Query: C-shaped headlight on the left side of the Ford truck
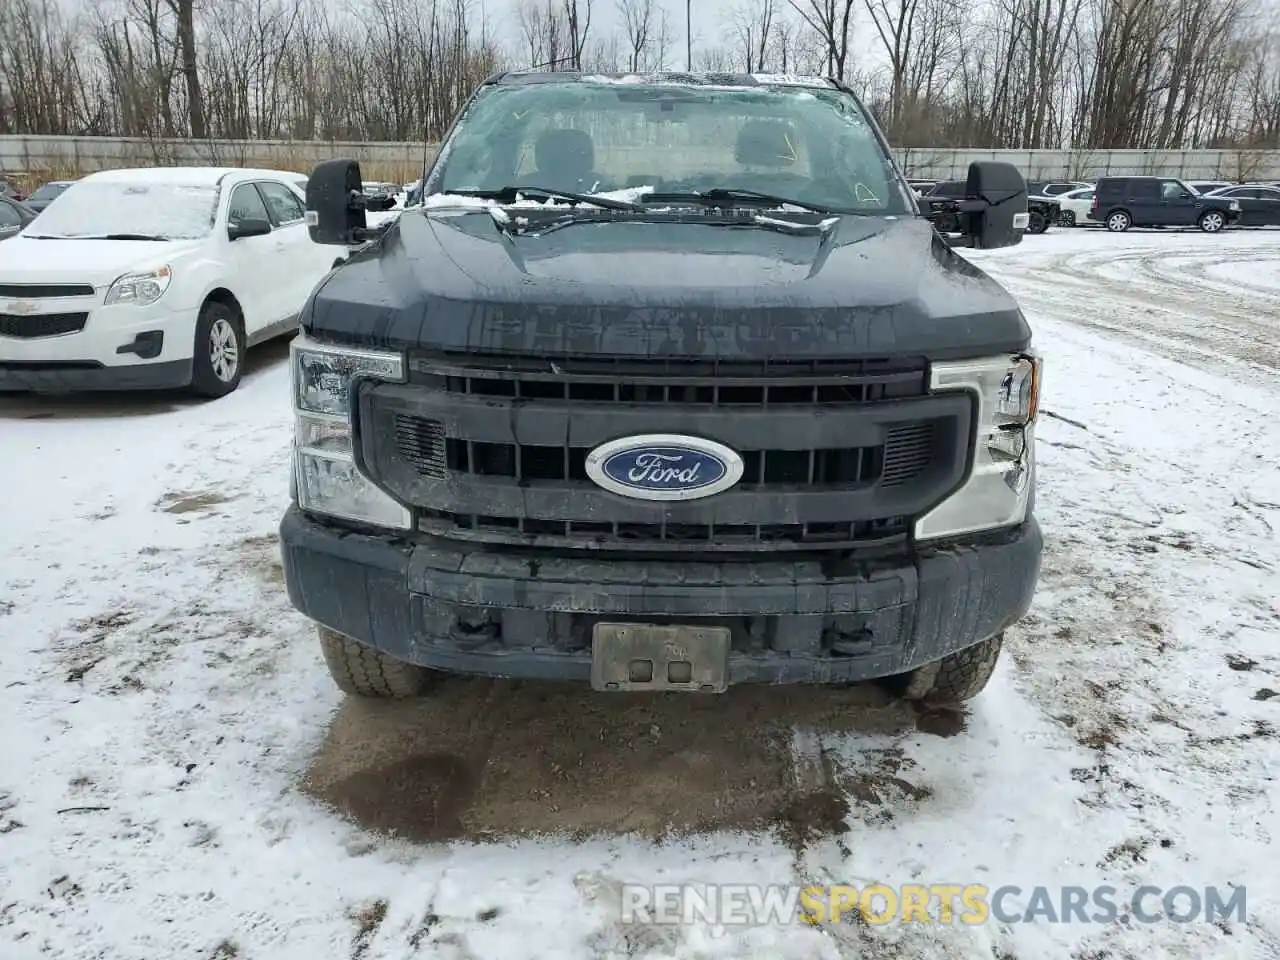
(327, 479)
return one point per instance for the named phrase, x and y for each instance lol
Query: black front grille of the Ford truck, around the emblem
(838, 455)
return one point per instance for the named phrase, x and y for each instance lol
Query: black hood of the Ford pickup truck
(868, 287)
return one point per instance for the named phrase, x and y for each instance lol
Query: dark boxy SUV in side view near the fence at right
(1122, 203)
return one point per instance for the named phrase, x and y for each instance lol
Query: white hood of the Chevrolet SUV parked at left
(98, 262)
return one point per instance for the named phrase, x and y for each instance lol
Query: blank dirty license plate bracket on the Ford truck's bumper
(634, 657)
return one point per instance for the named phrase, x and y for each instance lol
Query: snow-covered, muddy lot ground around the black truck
(180, 779)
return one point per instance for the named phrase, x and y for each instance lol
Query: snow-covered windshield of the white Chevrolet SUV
(103, 208)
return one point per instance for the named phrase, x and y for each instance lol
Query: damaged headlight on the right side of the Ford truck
(998, 491)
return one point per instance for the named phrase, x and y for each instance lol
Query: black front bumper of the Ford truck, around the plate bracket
(441, 606)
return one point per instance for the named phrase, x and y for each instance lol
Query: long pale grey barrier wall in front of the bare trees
(68, 157)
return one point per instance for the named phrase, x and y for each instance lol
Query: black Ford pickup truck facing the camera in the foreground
(666, 385)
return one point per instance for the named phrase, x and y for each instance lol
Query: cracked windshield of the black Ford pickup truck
(812, 145)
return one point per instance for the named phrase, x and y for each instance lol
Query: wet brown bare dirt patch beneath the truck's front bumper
(484, 760)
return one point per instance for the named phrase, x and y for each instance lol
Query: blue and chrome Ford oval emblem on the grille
(664, 468)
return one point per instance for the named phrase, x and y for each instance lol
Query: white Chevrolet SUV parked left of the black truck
(156, 278)
